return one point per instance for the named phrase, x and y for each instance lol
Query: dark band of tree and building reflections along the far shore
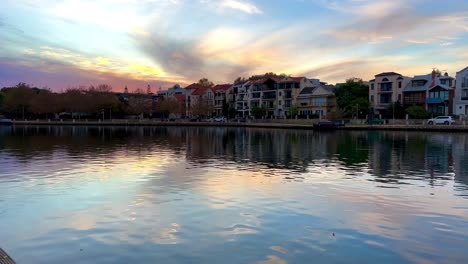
(391, 156)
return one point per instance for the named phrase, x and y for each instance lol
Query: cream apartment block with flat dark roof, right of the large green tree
(385, 89)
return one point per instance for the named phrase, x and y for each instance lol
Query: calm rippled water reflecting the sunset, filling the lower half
(226, 195)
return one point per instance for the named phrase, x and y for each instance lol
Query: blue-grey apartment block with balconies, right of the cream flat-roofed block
(433, 91)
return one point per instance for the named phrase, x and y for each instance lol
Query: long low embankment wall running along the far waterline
(258, 124)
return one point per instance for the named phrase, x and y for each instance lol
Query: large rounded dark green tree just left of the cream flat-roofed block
(353, 97)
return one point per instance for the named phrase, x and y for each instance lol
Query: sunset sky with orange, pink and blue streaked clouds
(66, 43)
